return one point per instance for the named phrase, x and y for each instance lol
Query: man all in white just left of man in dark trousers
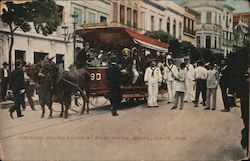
(189, 94)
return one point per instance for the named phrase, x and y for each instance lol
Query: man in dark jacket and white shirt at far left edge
(4, 76)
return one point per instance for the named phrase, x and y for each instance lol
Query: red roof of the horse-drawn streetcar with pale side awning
(117, 38)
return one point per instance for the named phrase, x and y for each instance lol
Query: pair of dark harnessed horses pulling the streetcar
(61, 85)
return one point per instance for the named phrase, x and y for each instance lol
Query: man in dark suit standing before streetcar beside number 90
(114, 84)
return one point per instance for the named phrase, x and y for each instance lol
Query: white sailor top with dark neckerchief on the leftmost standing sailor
(153, 75)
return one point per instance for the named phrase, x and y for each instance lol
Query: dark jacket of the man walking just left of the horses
(16, 80)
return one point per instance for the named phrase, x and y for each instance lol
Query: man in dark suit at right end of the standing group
(225, 84)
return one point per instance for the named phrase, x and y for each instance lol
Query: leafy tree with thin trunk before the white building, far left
(44, 15)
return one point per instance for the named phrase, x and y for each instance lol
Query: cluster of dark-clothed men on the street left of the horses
(21, 85)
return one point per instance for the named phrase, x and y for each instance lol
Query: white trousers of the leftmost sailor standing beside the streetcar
(152, 94)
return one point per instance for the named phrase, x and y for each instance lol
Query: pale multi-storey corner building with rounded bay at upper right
(214, 26)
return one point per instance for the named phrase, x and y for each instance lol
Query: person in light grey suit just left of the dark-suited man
(212, 84)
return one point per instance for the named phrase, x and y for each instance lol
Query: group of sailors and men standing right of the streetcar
(187, 83)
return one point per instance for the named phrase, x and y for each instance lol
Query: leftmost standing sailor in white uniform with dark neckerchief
(153, 79)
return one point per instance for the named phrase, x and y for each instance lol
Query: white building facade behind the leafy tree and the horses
(33, 47)
